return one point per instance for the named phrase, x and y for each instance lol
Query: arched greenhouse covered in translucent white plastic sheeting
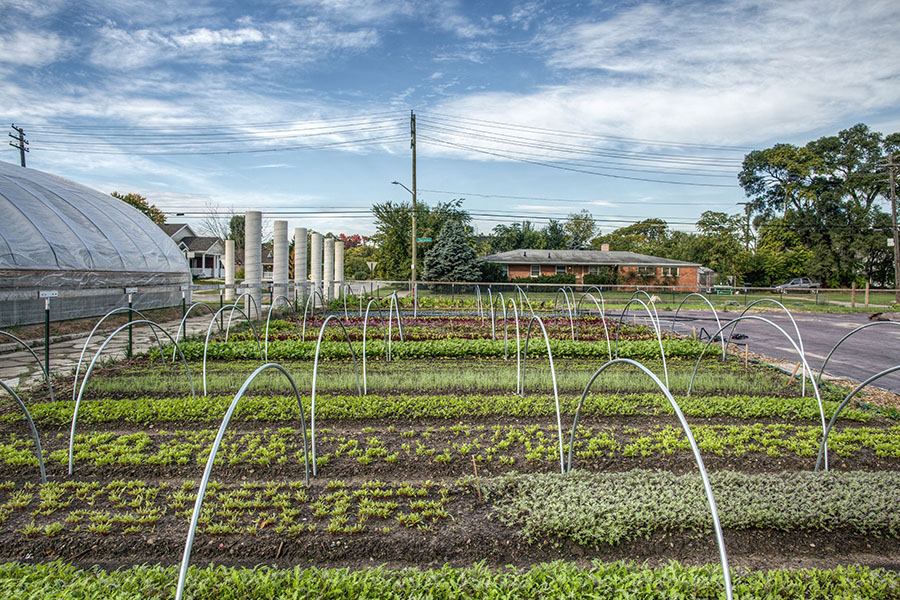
(59, 236)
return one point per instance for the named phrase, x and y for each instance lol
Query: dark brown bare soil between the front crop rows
(468, 535)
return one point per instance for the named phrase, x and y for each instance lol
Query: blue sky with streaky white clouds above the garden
(525, 109)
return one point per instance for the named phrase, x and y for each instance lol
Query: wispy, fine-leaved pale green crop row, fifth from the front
(444, 376)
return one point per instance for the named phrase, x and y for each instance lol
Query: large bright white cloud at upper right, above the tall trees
(715, 73)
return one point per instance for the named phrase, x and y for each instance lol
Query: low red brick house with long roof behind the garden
(630, 267)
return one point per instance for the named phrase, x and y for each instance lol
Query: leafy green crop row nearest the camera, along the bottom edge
(626, 581)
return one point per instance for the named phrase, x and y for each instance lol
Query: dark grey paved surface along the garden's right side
(862, 355)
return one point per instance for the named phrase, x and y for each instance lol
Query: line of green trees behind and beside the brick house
(816, 210)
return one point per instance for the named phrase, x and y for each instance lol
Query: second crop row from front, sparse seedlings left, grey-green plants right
(592, 510)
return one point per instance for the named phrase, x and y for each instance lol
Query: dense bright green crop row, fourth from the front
(409, 406)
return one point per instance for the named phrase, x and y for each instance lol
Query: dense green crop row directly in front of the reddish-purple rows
(442, 348)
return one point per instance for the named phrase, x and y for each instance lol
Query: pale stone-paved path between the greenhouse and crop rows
(18, 368)
